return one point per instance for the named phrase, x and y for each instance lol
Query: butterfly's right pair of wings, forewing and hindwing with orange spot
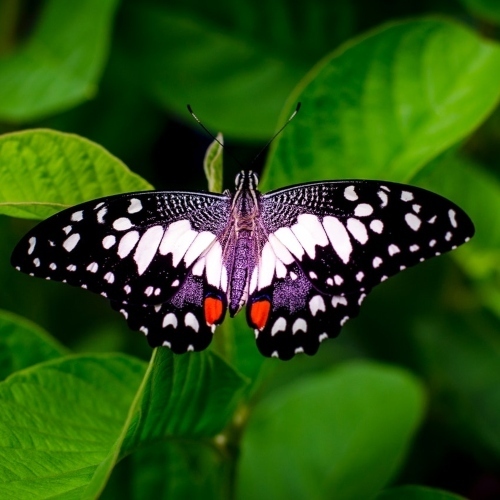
(331, 243)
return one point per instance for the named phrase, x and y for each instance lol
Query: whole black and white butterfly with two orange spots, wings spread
(301, 259)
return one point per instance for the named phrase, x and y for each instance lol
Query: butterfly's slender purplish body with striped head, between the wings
(242, 250)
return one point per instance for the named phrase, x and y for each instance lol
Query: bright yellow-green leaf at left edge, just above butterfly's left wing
(43, 171)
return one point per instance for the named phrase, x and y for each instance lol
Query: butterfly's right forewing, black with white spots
(351, 235)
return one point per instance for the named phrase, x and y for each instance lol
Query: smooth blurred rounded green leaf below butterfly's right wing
(317, 438)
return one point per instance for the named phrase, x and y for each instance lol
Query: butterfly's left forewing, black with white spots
(136, 248)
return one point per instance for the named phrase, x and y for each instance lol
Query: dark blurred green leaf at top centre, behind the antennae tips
(235, 63)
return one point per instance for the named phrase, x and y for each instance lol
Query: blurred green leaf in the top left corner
(60, 64)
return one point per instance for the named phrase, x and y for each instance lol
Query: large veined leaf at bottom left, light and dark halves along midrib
(69, 421)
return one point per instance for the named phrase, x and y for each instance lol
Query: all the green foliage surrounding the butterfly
(407, 395)
